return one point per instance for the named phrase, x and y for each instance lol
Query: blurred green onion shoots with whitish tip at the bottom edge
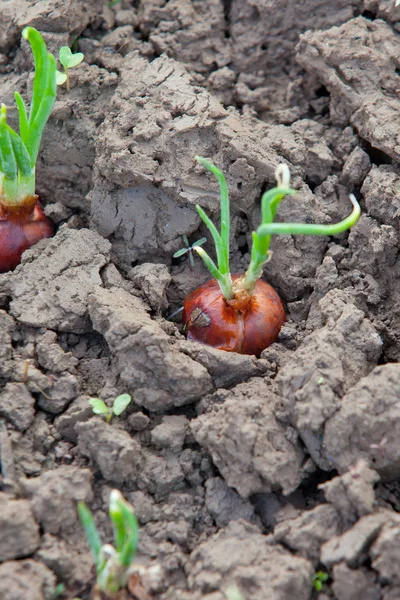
(114, 564)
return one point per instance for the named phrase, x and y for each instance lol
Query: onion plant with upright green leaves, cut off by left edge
(22, 220)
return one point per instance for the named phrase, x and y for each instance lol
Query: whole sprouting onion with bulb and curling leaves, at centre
(242, 313)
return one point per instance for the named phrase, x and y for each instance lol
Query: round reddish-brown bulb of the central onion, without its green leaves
(246, 324)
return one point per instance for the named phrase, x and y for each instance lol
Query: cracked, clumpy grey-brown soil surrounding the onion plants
(245, 472)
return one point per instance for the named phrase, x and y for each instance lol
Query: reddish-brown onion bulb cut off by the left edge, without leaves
(20, 228)
